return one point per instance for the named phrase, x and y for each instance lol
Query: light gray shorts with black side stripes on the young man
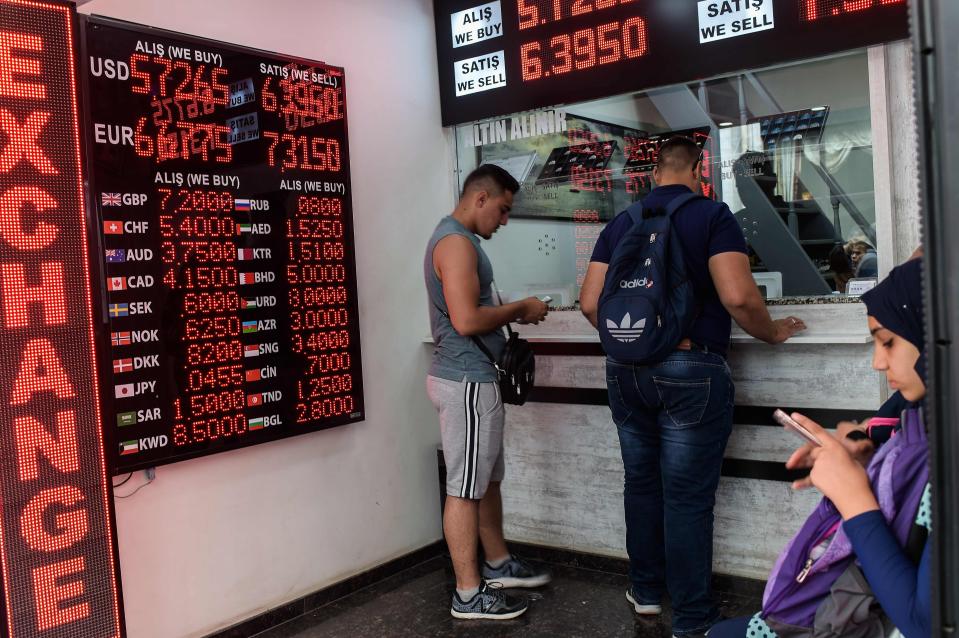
(471, 422)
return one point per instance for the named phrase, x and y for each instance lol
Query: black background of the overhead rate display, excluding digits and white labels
(675, 54)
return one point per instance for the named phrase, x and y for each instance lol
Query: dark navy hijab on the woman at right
(896, 303)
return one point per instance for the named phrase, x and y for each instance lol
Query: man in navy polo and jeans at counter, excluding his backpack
(675, 417)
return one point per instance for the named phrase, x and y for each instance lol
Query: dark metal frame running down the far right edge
(935, 34)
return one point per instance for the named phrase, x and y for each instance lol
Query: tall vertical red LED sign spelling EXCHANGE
(57, 541)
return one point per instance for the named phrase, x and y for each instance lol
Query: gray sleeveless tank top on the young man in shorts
(457, 358)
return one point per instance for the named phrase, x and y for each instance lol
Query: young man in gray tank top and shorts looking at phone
(463, 386)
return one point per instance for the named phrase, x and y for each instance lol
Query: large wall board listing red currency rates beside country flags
(220, 178)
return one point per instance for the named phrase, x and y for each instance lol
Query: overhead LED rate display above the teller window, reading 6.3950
(508, 56)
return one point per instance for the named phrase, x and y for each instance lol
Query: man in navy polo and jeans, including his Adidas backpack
(665, 279)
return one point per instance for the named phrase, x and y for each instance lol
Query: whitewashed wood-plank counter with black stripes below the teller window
(564, 477)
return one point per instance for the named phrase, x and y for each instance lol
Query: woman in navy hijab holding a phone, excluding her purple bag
(902, 588)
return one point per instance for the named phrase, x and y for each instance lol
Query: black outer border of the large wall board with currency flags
(103, 345)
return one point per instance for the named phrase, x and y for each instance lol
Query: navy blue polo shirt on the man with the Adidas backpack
(704, 228)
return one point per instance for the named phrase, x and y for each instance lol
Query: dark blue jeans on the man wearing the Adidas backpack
(674, 419)
